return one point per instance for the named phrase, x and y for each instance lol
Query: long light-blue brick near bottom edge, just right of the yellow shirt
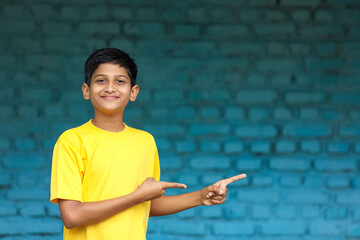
(184, 228)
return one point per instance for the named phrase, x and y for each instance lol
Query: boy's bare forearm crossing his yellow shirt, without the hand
(75, 214)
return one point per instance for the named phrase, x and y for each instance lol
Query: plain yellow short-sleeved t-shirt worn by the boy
(92, 164)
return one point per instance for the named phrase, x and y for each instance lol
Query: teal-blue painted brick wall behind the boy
(266, 87)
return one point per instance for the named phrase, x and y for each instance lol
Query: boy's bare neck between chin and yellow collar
(113, 123)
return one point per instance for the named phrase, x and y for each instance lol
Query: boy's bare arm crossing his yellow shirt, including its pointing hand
(75, 213)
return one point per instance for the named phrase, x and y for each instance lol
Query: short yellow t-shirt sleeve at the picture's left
(67, 169)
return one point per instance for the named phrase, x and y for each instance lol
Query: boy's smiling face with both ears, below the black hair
(110, 89)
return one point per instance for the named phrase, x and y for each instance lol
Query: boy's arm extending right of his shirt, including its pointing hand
(211, 195)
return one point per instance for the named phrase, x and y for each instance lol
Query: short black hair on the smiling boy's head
(110, 55)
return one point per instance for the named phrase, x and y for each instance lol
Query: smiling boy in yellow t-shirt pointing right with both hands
(105, 175)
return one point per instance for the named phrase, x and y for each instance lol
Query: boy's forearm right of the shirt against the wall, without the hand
(166, 205)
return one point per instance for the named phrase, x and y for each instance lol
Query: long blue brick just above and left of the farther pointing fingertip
(209, 162)
